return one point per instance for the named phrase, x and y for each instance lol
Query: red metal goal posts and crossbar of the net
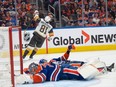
(11, 52)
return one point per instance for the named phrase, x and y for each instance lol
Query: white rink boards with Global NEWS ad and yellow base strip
(85, 39)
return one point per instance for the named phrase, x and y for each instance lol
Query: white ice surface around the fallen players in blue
(106, 80)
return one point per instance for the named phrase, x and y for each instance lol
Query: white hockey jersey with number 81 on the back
(43, 28)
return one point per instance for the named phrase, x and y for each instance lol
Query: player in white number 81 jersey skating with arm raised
(39, 35)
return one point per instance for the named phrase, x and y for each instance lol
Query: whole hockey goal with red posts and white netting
(10, 55)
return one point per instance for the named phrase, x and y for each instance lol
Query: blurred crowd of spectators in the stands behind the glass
(67, 13)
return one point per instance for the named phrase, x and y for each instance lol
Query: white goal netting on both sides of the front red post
(5, 55)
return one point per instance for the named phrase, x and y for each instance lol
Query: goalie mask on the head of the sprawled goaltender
(34, 68)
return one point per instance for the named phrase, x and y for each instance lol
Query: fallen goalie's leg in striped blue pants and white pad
(86, 72)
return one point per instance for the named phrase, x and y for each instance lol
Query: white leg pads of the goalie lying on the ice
(92, 69)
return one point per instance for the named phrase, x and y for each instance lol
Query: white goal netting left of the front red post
(4, 52)
